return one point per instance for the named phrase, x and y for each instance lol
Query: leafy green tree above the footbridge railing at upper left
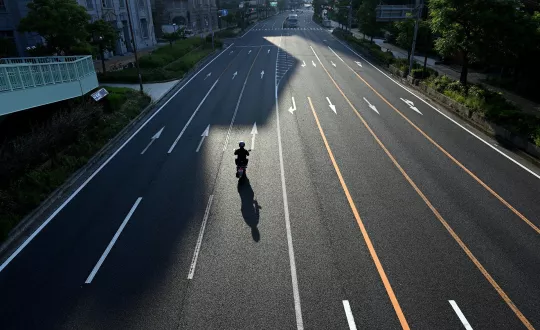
(62, 23)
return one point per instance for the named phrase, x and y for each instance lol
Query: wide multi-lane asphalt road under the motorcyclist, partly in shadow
(364, 207)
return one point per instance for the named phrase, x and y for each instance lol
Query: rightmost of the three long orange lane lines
(452, 158)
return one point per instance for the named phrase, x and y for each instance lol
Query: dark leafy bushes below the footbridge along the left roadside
(33, 165)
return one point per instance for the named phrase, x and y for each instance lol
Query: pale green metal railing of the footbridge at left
(30, 72)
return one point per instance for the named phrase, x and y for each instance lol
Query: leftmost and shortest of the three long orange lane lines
(370, 247)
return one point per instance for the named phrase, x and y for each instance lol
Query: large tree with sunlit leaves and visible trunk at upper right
(469, 28)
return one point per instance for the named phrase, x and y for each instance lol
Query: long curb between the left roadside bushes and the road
(35, 218)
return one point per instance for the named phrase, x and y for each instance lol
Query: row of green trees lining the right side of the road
(500, 35)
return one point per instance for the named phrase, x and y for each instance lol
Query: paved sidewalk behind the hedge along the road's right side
(454, 72)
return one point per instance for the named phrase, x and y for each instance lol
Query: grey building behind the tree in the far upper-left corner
(113, 11)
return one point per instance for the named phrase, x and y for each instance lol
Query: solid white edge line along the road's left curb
(49, 219)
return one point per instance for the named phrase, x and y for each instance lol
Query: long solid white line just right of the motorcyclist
(292, 262)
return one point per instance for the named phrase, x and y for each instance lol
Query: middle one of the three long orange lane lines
(477, 263)
